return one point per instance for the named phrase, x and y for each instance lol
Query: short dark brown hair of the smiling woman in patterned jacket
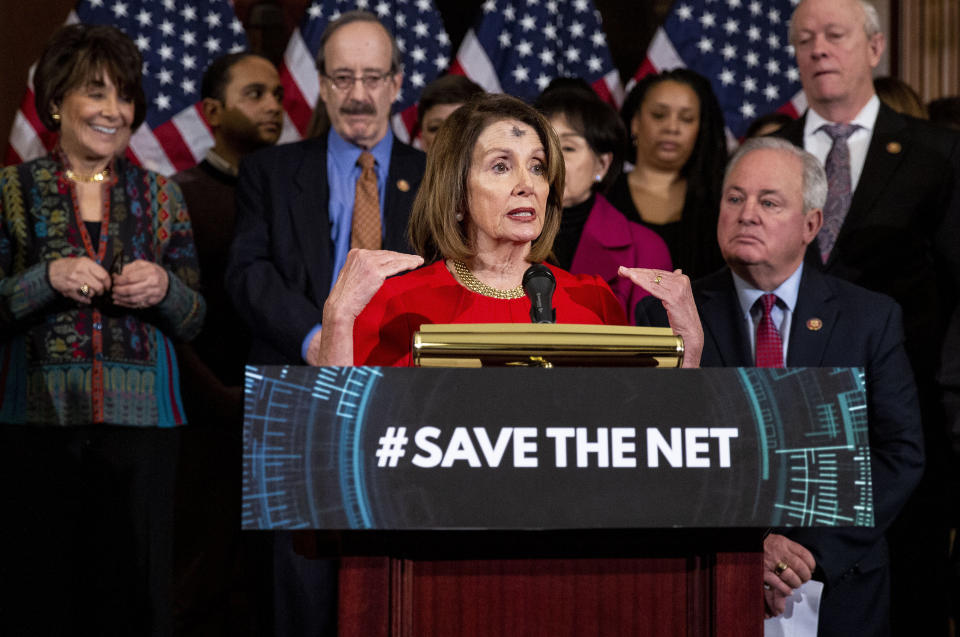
(80, 53)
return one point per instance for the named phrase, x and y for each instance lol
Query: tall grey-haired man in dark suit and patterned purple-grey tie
(894, 229)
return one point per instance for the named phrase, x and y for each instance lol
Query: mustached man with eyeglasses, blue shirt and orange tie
(300, 209)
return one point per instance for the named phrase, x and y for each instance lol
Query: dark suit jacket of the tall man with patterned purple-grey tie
(901, 235)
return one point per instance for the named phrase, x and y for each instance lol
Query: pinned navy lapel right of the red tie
(814, 319)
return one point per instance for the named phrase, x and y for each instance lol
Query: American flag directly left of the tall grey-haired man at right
(741, 46)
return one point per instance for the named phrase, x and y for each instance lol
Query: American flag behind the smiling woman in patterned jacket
(177, 41)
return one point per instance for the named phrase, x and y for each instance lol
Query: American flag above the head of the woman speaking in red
(518, 46)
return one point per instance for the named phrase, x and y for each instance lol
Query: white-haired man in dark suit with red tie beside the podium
(770, 212)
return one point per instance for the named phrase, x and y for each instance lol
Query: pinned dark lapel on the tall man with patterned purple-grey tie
(877, 172)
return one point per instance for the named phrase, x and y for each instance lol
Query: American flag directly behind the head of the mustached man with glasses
(420, 35)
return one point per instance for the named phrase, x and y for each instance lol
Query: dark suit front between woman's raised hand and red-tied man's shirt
(724, 328)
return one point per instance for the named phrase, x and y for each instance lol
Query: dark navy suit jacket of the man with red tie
(859, 329)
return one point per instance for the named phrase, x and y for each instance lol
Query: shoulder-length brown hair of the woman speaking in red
(434, 229)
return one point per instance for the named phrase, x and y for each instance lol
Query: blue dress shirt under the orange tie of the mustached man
(342, 174)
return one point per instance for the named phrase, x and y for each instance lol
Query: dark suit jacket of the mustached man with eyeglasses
(281, 261)
